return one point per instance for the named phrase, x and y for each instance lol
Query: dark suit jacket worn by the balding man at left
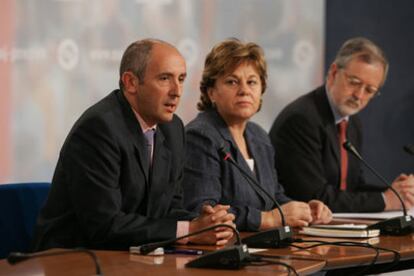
(101, 195)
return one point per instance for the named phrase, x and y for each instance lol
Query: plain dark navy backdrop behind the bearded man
(388, 119)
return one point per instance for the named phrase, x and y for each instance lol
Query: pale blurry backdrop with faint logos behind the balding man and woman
(57, 57)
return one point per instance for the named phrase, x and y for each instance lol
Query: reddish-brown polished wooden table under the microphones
(326, 257)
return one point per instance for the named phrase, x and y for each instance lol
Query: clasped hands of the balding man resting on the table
(210, 216)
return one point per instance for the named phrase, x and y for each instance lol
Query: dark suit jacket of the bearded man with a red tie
(308, 159)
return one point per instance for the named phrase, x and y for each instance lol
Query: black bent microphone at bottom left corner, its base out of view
(17, 257)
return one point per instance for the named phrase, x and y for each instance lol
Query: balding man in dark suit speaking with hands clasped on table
(118, 179)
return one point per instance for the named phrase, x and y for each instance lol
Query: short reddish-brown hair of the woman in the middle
(225, 57)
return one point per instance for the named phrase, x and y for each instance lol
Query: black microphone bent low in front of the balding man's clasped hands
(230, 257)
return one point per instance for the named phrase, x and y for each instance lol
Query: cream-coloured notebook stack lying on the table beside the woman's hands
(340, 231)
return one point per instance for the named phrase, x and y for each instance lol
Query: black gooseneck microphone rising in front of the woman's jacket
(272, 238)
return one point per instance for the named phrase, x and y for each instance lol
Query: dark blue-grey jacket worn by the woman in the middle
(210, 179)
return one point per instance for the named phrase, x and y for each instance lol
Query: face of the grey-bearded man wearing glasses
(354, 86)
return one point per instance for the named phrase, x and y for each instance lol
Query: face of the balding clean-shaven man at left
(158, 94)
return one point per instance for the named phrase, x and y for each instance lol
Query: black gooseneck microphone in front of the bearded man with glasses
(393, 226)
